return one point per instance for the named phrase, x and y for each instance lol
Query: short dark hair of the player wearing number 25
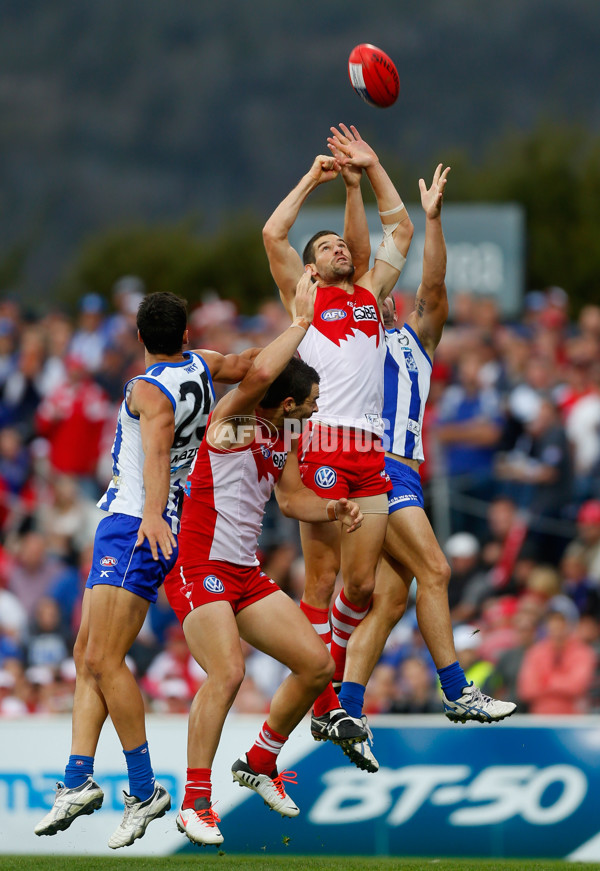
(162, 321)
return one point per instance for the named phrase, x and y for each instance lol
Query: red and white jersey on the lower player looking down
(228, 493)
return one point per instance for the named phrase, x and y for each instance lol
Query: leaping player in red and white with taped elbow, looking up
(342, 452)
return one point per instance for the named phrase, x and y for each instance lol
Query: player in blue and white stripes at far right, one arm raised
(411, 549)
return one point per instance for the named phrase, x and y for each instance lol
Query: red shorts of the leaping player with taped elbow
(336, 462)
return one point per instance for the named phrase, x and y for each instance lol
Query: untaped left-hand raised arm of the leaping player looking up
(284, 261)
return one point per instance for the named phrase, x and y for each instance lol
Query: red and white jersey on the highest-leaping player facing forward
(345, 345)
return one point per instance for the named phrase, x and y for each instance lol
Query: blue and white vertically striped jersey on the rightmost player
(406, 388)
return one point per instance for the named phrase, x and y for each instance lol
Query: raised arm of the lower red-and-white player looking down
(270, 362)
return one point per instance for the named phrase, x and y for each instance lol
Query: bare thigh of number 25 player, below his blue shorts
(115, 618)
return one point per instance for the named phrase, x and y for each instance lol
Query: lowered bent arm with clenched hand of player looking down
(296, 500)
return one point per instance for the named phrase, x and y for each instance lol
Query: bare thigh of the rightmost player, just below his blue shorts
(411, 542)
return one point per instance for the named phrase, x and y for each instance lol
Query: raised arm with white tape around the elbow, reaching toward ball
(397, 226)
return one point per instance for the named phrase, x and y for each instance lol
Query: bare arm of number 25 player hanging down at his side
(157, 427)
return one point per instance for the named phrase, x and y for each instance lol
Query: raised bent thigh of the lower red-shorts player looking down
(276, 626)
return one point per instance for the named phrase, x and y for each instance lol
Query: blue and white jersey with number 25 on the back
(189, 388)
